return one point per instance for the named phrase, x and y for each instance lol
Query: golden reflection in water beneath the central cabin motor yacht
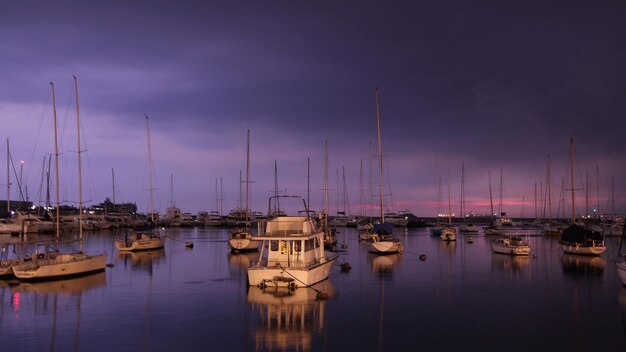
(289, 318)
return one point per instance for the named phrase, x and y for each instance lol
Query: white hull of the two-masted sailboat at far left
(61, 265)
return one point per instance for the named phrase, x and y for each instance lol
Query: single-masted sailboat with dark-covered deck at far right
(578, 239)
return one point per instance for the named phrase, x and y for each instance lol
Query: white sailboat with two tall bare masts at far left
(52, 265)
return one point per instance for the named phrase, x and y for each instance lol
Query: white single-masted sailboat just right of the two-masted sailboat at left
(149, 239)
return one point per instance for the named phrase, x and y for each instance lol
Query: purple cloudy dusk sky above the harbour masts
(494, 84)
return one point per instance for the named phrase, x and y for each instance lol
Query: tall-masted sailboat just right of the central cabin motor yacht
(381, 239)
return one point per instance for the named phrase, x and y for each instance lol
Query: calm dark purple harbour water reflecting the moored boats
(461, 298)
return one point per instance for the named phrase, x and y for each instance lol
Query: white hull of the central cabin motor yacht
(259, 275)
